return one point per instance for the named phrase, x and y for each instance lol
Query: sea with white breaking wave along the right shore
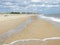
(54, 19)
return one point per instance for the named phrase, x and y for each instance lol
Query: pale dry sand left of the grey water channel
(10, 21)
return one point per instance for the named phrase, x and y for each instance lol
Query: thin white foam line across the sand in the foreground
(41, 40)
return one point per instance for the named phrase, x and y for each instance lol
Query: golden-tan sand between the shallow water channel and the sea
(38, 29)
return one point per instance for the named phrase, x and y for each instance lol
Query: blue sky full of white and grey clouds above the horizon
(39, 6)
